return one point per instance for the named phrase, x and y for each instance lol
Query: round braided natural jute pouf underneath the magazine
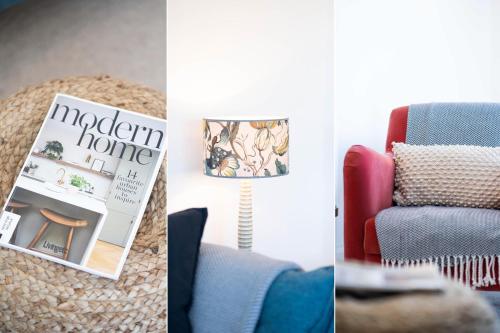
(38, 295)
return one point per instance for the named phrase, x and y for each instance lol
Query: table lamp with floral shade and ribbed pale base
(245, 149)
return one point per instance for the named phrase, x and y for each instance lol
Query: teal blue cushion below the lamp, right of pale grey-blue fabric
(299, 302)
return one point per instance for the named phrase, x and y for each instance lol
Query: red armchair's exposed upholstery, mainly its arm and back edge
(368, 189)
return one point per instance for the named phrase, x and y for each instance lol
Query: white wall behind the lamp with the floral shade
(252, 58)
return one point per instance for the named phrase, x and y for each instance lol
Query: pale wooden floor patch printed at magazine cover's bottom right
(105, 257)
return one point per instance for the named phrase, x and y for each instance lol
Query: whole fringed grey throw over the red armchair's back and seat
(465, 241)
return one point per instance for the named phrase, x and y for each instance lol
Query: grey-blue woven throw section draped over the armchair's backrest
(475, 124)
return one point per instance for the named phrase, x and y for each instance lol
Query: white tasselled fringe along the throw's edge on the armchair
(472, 271)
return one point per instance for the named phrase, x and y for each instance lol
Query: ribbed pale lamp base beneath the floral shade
(245, 228)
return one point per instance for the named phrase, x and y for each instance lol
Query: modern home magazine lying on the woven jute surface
(82, 191)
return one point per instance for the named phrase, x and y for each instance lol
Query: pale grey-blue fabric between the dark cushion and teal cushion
(230, 289)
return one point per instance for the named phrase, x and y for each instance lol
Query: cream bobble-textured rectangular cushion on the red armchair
(464, 176)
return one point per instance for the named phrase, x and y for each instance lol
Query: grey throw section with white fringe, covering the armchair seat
(465, 241)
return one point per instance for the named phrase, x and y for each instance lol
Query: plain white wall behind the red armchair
(390, 53)
